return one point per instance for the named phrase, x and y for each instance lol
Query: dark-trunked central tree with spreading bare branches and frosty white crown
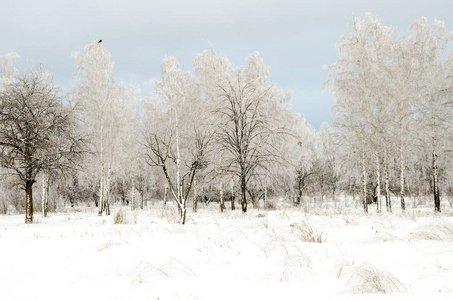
(246, 110)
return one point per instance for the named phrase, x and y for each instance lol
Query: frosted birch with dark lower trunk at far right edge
(435, 84)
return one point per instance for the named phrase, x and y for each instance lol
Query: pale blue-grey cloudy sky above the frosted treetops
(295, 37)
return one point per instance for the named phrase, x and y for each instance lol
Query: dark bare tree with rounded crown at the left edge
(36, 132)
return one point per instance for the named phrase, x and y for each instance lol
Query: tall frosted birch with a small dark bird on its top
(106, 107)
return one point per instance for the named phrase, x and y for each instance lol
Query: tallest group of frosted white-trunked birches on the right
(393, 108)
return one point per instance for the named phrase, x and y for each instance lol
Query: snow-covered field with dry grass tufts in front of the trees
(78, 255)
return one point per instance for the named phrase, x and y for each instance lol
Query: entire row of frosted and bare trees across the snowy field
(224, 133)
